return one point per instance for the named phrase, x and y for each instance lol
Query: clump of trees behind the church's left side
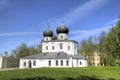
(22, 51)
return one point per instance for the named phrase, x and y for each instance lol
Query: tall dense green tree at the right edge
(113, 41)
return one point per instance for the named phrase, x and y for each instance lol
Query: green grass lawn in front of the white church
(106, 73)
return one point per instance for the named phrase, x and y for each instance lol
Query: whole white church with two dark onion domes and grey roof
(57, 51)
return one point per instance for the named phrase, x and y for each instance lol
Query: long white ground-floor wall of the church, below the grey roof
(45, 63)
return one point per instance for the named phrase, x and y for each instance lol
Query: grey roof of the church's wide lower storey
(53, 55)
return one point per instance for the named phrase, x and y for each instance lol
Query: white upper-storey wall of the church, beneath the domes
(72, 50)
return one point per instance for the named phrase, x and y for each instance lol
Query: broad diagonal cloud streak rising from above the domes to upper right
(78, 13)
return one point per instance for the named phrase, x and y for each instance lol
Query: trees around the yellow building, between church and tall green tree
(89, 46)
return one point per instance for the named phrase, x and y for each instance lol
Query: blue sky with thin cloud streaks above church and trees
(23, 21)
